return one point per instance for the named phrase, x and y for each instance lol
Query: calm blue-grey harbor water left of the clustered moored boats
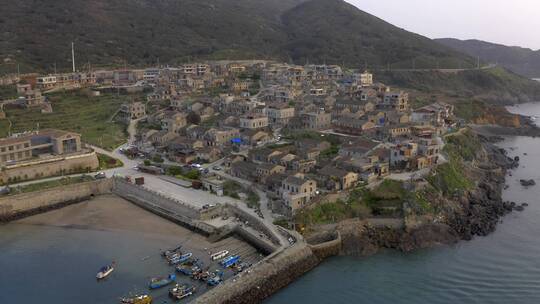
(47, 264)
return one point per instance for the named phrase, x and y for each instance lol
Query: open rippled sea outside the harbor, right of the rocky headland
(503, 267)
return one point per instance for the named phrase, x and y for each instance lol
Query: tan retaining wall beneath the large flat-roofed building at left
(54, 167)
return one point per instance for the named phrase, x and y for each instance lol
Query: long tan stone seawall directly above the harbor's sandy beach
(26, 204)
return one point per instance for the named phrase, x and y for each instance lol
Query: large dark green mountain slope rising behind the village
(38, 33)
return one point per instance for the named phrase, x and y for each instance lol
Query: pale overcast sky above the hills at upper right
(515, 22)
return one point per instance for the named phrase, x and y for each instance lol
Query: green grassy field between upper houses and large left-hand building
(74, 111)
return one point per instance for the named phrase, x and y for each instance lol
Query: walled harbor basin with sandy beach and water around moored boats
(94, 233)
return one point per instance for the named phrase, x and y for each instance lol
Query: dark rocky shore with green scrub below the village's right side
(475, 213)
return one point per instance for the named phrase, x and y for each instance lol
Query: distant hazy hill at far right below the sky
(522, 61)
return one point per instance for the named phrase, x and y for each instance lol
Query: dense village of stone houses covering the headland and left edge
(296, 133)
